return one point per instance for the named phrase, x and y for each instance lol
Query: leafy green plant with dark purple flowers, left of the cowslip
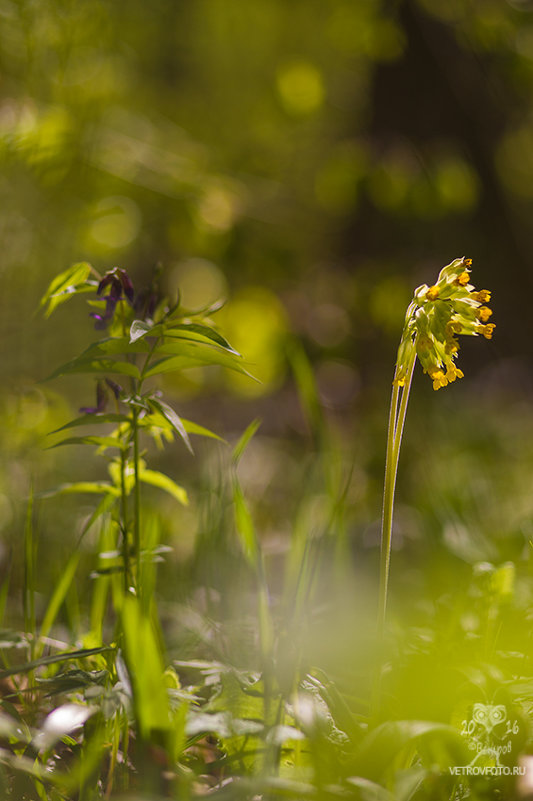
(145, 335)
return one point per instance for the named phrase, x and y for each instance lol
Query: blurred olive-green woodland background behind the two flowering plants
(312, 162)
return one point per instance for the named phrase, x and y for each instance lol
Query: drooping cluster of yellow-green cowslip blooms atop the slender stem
(436, 316)
